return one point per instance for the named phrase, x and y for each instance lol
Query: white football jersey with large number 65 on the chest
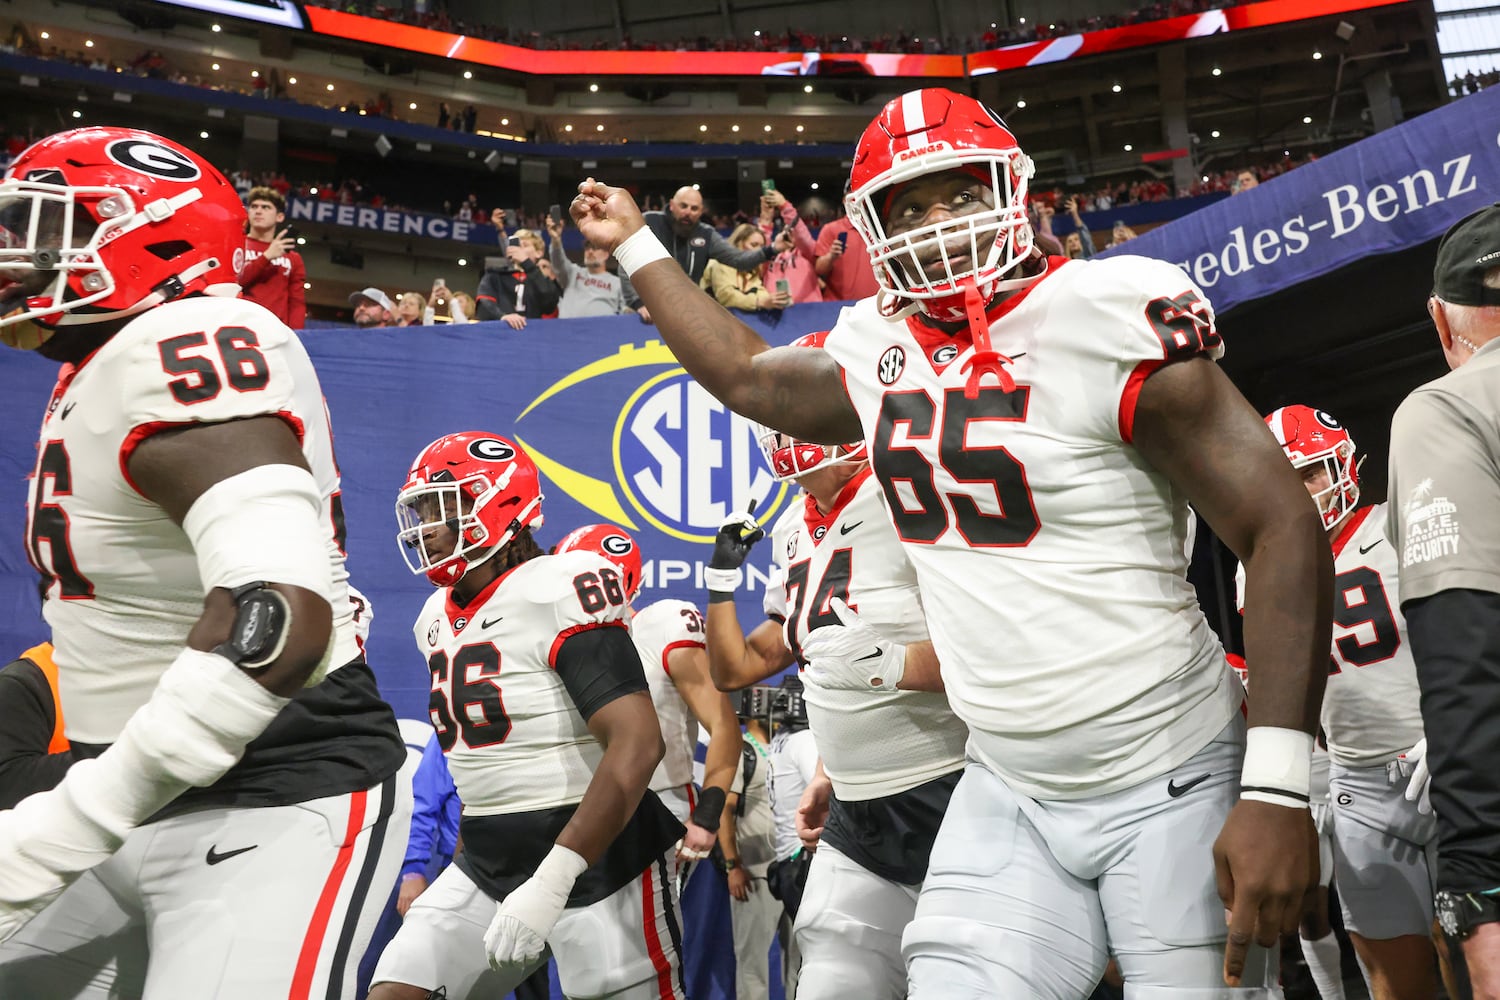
(1051, 555)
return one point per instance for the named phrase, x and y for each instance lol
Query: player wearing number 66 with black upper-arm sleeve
(544, 713)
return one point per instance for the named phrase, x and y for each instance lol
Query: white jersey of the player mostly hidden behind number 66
(661, 629)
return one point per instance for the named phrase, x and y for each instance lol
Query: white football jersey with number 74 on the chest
(872, 743)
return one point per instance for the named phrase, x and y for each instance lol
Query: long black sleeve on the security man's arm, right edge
(1456, 642)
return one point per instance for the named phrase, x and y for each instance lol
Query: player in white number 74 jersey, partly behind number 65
(890, 759)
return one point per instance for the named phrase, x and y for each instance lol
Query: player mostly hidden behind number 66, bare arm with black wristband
(671, 638)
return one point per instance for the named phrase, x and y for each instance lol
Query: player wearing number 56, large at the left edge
(238, 792)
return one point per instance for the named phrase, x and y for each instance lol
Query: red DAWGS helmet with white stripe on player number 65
(928, 133)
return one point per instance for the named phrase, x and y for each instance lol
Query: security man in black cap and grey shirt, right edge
(1445, 524)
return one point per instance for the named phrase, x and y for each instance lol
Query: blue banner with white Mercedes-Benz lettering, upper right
(1396, 190)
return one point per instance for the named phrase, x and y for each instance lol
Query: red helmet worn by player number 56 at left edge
(101, 224)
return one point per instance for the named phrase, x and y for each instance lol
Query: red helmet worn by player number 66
(481, 487)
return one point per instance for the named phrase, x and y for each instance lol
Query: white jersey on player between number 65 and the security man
(1372, 707)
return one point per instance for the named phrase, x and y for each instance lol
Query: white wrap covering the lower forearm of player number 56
(191, 732)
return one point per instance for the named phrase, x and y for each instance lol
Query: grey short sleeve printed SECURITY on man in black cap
(1444, 518)
